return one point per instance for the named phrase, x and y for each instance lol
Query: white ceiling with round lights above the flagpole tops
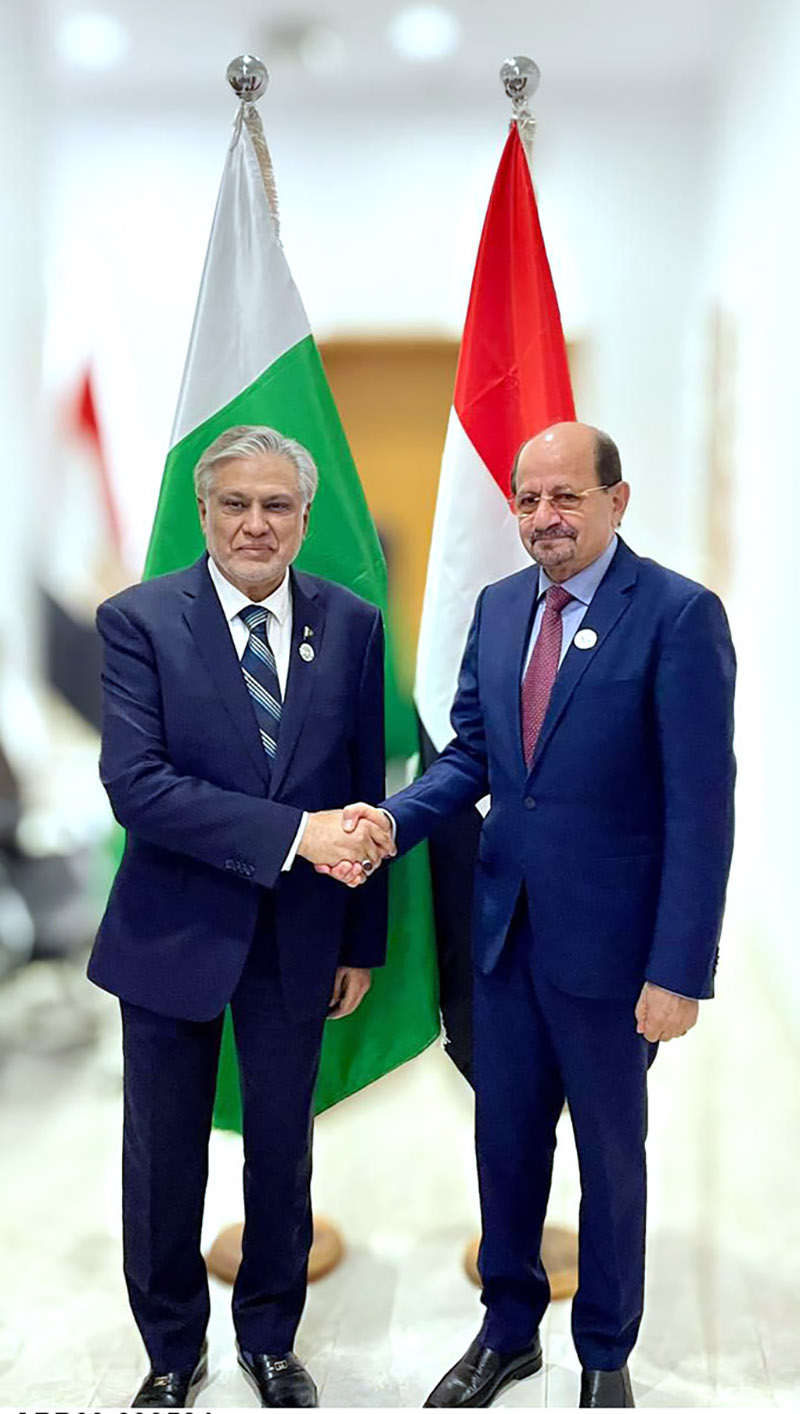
(180, 49)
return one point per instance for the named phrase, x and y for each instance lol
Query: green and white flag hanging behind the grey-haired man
(252, 360)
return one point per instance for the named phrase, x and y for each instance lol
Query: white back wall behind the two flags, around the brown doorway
(381, 220)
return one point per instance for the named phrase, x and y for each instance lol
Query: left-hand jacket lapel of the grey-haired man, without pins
(214, 644)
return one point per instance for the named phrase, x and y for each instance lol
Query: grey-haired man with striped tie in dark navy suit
(241, 702)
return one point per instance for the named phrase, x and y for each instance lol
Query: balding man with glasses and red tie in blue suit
(596, 706)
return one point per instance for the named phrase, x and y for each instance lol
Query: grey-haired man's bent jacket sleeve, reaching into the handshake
(151, 798)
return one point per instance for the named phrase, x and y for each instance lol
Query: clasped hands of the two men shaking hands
(348, 845)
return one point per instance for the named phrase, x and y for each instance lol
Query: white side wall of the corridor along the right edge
(754, 274)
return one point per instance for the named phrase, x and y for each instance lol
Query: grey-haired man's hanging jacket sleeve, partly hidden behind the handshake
(368, 907)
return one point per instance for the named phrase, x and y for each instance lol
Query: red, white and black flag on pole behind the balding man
(512, 382)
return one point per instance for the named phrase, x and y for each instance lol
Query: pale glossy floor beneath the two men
(394, 1169)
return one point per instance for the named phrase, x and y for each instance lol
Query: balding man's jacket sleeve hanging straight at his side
(695, 708)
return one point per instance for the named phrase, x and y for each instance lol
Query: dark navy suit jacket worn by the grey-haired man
(208, 826)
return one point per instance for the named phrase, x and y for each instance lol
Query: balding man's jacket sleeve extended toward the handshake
(459, 777)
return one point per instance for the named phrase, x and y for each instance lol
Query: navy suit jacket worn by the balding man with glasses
(623, 828)
